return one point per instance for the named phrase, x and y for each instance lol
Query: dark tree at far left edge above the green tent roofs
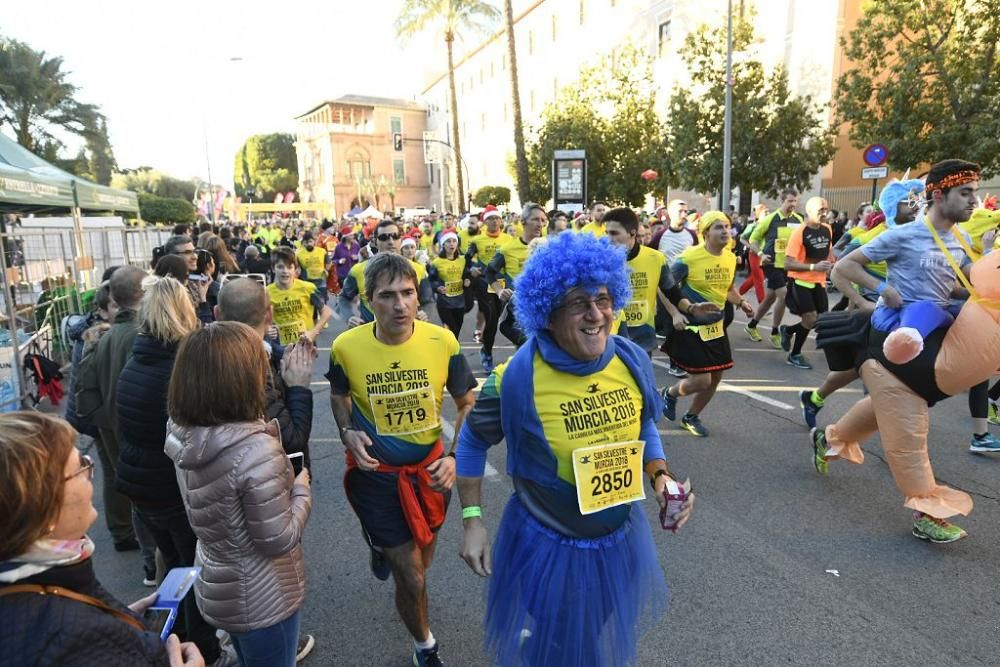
(36, 97)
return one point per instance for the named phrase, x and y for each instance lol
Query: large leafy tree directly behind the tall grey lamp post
(778, 139)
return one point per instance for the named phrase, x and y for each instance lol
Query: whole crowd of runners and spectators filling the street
(198, 473)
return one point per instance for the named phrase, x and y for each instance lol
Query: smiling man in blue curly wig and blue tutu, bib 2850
(574, 575)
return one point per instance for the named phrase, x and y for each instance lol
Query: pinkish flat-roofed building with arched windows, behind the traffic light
(357, 150)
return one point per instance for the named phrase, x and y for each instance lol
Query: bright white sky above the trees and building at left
(164, 75)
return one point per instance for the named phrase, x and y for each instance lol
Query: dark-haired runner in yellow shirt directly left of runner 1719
(294, 302)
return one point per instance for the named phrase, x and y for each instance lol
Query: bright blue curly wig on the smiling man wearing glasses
(566, 261)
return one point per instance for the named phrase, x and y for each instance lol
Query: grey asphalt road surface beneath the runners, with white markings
(777, 565)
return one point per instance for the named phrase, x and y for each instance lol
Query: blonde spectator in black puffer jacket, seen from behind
(145, 474)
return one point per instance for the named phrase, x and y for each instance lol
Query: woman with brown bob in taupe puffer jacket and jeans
(244, 503)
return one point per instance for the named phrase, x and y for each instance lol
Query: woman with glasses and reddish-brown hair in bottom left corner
(53, 610)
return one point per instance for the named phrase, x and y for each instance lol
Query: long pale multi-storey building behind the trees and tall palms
(556, 38)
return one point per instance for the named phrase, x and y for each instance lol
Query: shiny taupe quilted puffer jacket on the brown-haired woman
(249, 517)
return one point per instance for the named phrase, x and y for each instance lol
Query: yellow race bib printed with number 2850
(608, 475)
